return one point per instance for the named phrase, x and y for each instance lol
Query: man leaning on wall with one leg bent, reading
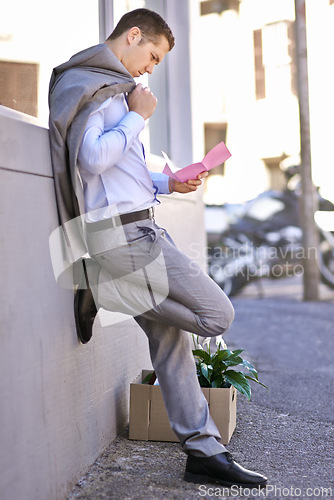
(96, 115)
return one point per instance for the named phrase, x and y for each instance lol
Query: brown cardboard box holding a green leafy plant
(148, 416)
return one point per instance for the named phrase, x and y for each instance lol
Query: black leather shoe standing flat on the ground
(221, 469)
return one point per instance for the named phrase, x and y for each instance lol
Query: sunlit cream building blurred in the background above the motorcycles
(253, 95)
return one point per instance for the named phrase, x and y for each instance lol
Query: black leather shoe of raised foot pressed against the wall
(84, 311)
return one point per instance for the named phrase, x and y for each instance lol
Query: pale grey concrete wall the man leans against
(62, 402)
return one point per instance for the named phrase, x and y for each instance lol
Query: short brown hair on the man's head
(151, 25)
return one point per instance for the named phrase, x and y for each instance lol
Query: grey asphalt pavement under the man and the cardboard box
(286, 433)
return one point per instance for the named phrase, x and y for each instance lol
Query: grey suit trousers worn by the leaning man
(169, 296)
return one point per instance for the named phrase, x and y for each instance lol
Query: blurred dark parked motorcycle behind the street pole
(266, 240)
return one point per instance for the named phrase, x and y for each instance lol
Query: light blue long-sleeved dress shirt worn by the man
(112, 163)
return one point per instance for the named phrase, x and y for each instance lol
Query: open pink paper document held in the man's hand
(212, 159)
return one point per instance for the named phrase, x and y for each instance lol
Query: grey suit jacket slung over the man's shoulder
(77, 88)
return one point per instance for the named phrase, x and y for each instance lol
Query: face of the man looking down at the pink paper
(141, 58)
